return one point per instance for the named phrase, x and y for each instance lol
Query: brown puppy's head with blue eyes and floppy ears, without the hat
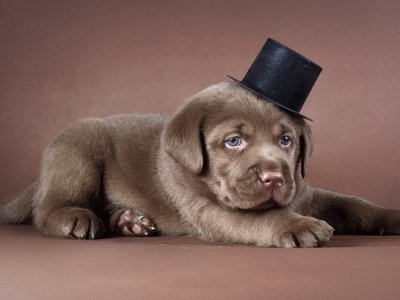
(249, 152)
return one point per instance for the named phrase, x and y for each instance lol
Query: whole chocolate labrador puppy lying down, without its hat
(227, 167)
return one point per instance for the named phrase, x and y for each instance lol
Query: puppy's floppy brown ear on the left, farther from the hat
(181, 138)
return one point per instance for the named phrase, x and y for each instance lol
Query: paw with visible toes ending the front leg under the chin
(306, 232)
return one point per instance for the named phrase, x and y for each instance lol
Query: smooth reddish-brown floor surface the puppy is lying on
(37, 267)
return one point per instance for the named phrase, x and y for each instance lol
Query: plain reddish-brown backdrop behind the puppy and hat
(65, 60)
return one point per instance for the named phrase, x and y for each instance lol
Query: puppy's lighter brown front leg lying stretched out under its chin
(272, 228)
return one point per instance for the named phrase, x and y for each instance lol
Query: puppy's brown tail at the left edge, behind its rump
(19, 210)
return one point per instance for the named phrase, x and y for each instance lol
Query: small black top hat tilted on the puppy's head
(281, 76)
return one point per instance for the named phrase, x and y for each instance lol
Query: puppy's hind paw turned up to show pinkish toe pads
(131, 222)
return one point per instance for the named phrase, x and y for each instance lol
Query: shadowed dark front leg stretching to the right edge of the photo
(353, 215)
